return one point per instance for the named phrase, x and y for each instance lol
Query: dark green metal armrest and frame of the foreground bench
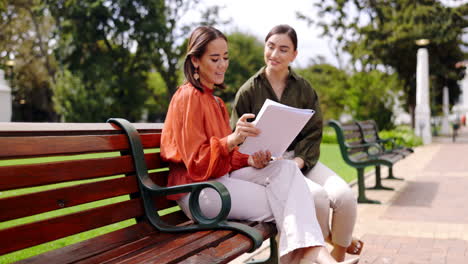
(149, 189)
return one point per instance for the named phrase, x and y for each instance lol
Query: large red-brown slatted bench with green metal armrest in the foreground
(95, 177)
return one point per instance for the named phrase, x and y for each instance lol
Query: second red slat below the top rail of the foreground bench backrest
(21, 176)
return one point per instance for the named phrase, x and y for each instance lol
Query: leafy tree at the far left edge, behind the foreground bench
(26, 30)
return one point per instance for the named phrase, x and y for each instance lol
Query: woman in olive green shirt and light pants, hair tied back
(278, 82)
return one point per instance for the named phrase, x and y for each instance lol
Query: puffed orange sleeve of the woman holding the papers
(185, 138)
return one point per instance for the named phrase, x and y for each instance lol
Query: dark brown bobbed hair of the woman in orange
(198, 41)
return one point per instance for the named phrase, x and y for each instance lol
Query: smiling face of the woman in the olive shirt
(279, 52)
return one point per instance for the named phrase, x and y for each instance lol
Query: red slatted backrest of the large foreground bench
(50, 190)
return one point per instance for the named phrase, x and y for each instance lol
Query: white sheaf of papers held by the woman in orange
(279, 124)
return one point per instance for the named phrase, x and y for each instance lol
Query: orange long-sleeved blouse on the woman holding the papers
(194, 138)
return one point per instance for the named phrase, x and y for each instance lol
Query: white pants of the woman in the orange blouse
(278, 192)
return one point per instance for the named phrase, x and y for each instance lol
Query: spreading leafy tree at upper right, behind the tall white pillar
(383, 33)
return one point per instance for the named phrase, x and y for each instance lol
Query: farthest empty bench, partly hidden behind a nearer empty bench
(370, 132)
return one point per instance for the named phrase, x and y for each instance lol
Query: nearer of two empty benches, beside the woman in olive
(359, 153)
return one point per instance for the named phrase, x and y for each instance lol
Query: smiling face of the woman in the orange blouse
(212, 65)
